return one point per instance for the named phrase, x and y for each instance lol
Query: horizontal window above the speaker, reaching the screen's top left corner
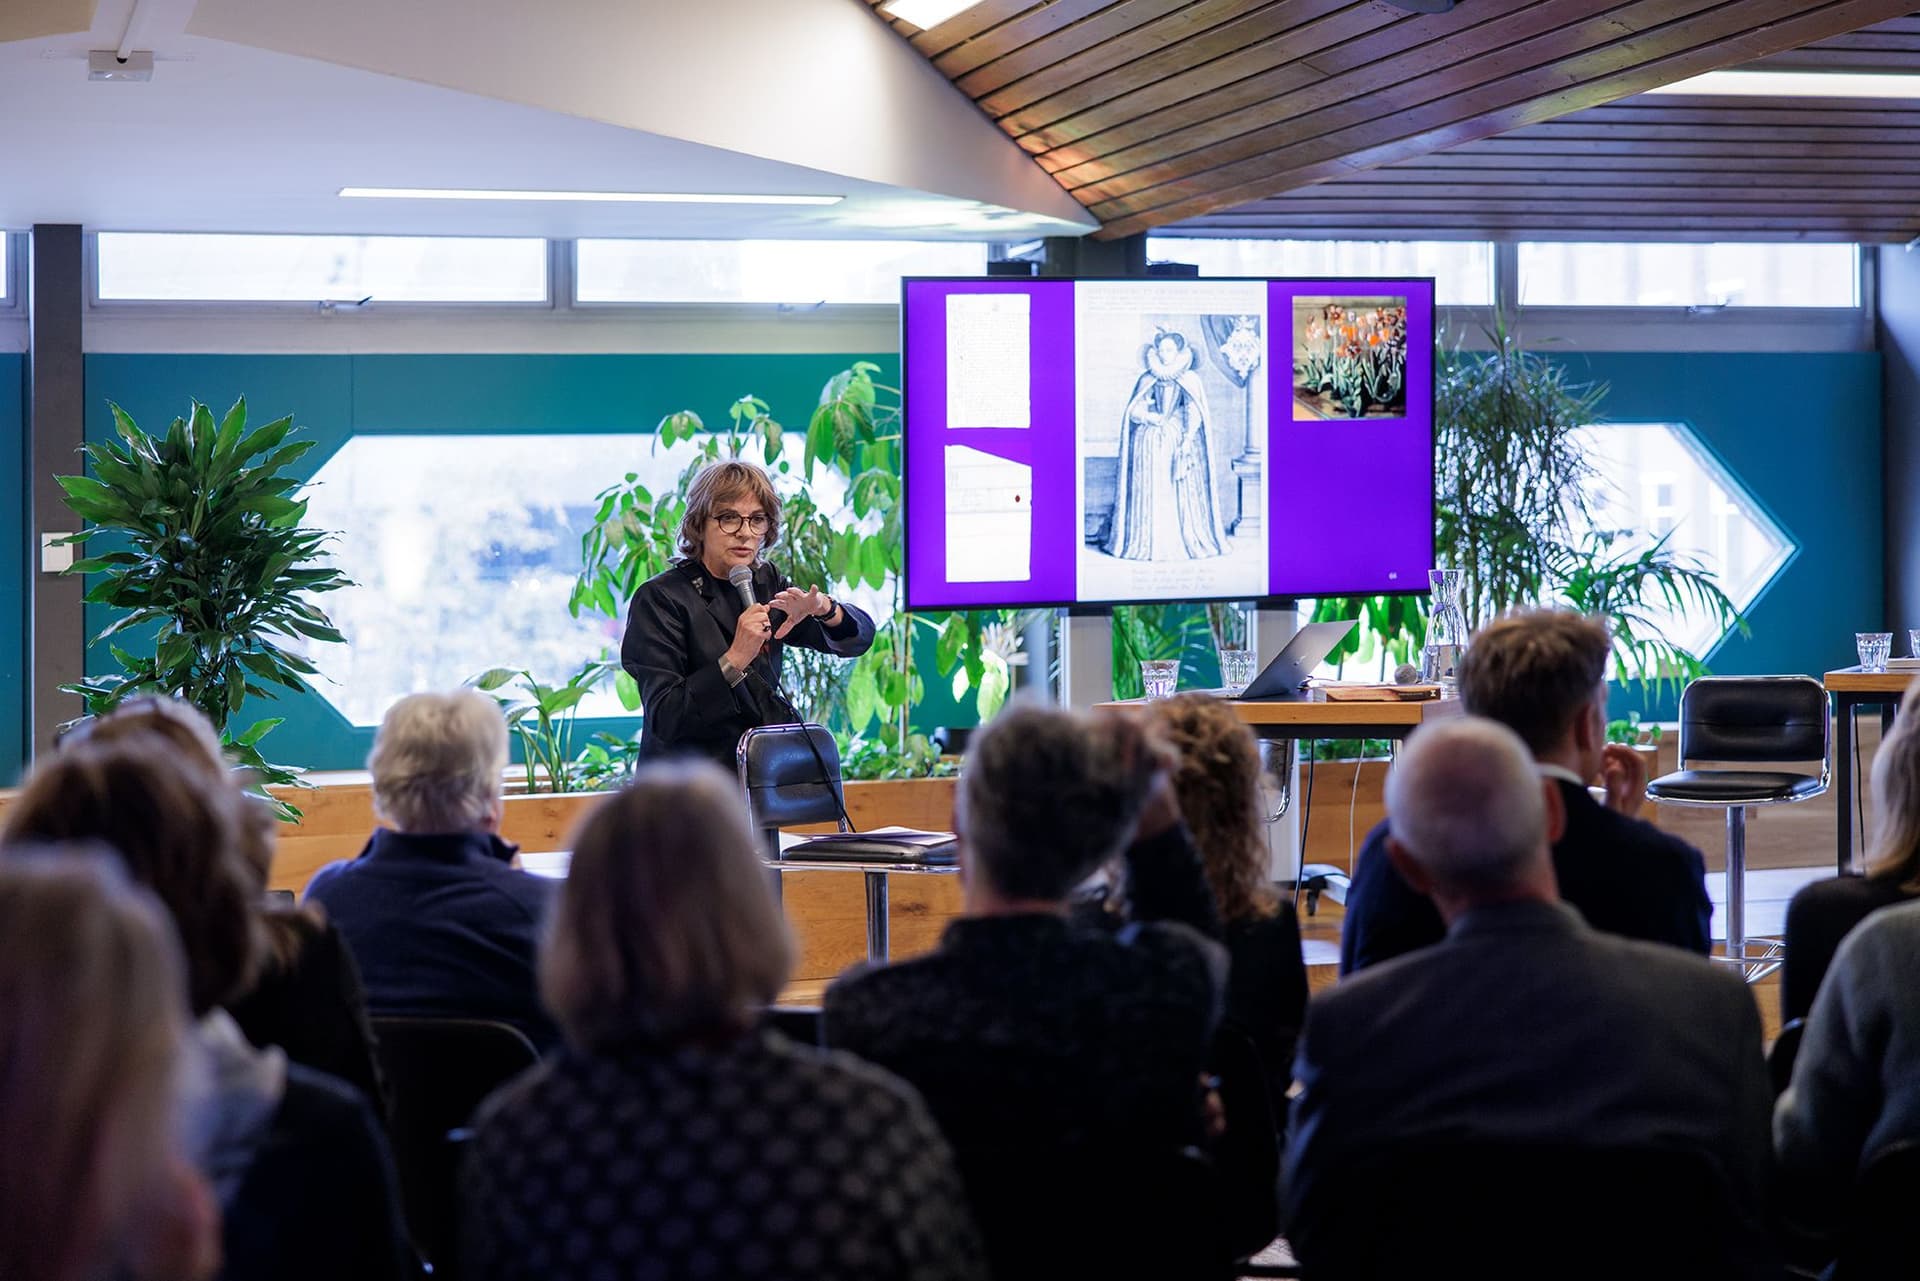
(765, 272)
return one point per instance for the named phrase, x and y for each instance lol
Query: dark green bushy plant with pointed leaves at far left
(210, 568)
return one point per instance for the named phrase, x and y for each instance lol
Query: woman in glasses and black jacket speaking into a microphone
(708, 664)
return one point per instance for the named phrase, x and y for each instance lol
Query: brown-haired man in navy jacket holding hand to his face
(1545, 677)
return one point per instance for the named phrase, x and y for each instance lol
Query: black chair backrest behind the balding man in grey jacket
(1522, 1211)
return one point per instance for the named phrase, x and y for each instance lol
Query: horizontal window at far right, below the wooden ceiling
(1691, 276)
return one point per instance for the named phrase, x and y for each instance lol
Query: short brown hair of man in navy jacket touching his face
(1537, 673)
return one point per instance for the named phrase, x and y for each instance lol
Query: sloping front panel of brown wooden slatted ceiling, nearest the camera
(1153, 112)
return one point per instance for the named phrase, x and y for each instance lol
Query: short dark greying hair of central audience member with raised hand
(1047, 796)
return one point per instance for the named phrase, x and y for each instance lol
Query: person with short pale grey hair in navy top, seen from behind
(435, 911)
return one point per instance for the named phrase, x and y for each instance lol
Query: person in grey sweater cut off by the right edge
(1856, 1084)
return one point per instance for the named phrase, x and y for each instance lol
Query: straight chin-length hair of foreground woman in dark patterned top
(665, 931)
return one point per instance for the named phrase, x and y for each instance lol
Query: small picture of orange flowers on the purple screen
(1351, 358)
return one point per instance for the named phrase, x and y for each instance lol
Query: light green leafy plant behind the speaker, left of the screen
(840, 529)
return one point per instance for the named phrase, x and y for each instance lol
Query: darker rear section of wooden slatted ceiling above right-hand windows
(1648, 168)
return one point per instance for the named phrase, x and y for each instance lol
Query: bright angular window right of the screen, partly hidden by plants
(1660, 481)
